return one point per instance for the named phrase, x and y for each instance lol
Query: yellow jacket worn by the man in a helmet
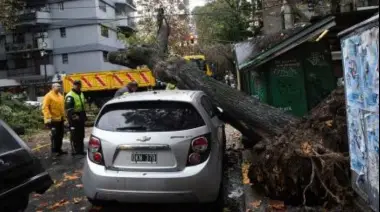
(53, 107)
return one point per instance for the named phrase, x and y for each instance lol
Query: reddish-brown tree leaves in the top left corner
(8, 9)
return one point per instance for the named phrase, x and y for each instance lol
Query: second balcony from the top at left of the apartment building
(36, 45)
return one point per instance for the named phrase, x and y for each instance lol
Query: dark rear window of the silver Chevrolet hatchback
(149, 116)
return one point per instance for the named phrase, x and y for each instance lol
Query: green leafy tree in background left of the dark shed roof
(223, 20)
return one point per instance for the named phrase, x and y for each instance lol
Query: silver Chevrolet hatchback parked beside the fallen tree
(156, 147)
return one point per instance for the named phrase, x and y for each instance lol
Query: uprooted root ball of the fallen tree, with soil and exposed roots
(308, 164)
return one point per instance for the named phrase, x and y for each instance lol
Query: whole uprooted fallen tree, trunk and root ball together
(293, 161)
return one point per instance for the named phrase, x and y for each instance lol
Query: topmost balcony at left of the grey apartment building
(35, 16)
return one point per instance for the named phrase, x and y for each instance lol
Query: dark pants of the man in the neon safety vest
(77, 136)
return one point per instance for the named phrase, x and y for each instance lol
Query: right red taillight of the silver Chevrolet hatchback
(199, 150)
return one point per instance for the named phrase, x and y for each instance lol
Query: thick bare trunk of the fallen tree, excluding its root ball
(244, 112)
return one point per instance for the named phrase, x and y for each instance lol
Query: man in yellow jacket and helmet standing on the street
(54, 117)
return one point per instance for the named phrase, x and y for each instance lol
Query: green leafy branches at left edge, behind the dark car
(19, 116)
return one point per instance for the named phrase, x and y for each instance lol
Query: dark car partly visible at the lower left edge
(21, 173)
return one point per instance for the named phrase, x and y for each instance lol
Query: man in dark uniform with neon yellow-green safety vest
(76, 116)
